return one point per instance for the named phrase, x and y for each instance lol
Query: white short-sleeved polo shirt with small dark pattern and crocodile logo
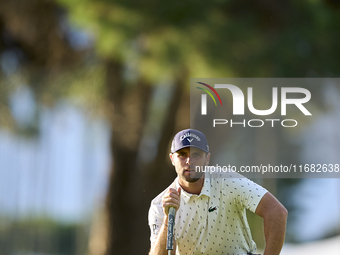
(213, 222)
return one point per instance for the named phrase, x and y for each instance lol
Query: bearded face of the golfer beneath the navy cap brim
(186, 160)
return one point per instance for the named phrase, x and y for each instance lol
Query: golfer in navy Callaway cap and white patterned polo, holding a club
(211, 211)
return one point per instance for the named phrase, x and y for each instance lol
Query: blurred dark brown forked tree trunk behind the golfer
(132, 185)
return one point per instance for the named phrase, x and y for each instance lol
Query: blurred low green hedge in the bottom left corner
(41, 235)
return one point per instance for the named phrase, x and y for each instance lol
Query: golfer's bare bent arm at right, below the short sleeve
(274, 216)
